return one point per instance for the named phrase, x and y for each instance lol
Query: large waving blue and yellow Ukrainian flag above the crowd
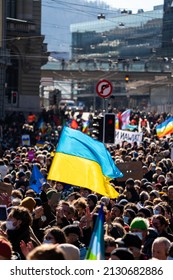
(85, 162)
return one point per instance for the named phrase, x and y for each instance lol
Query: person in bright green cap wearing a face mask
(140, 227)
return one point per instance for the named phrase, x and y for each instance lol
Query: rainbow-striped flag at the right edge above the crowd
(165, 128)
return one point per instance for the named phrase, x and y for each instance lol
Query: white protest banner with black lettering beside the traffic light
(128, 136)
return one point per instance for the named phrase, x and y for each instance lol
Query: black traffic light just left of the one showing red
(97, 128)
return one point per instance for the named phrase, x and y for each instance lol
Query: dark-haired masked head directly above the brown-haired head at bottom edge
(54, 235)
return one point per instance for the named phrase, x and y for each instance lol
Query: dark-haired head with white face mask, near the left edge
(18, 217)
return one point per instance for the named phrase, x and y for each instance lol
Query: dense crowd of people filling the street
(58, 222)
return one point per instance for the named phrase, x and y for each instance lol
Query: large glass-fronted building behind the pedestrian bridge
(124, 37)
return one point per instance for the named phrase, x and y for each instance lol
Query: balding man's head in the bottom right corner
(160, 248)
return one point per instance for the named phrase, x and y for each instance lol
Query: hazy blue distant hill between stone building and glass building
(58, 15)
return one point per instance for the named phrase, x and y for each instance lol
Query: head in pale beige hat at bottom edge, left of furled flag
(71, 251)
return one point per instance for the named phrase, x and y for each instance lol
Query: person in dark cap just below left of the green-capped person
(134, 244)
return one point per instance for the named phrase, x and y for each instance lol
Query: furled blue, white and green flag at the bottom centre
(96, 247)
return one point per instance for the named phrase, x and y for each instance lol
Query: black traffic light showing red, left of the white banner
(109, 128)
